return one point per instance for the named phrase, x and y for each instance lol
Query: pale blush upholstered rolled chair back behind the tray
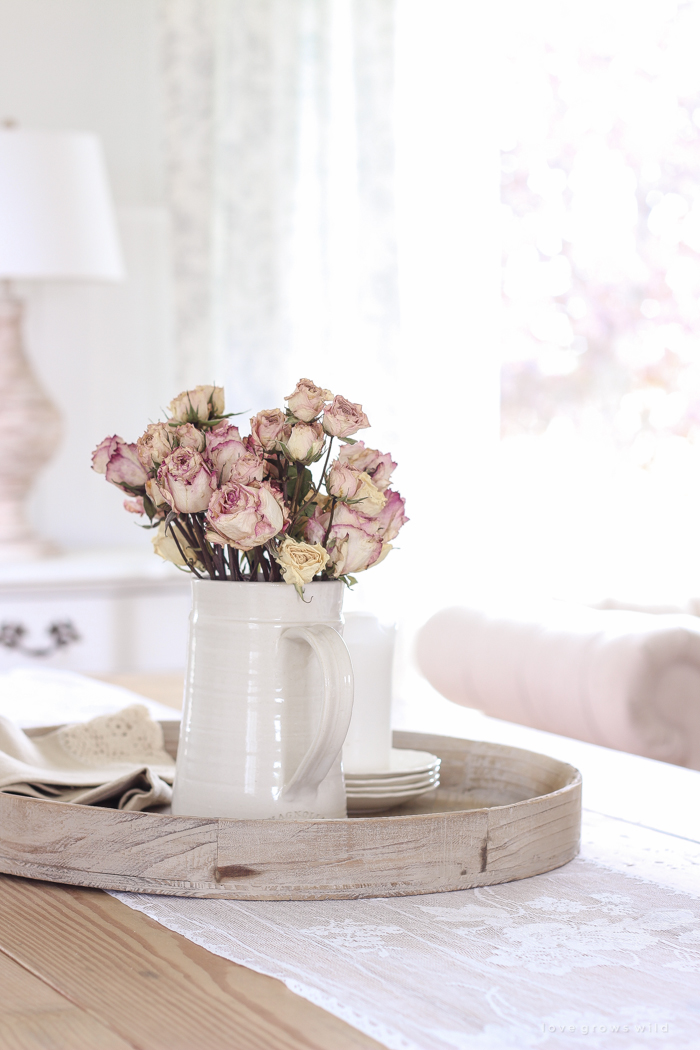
(628, 681)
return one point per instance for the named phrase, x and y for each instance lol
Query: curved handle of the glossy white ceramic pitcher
(333, 656)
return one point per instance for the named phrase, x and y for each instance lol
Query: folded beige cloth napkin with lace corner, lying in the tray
(117, 760)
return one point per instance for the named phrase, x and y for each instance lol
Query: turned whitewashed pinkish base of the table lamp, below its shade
(30, 433)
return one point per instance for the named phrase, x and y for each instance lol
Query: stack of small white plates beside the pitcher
(411, 774)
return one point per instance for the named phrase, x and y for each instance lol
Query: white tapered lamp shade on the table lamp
(57, 219)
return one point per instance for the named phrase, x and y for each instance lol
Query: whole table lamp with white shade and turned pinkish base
(57, 223)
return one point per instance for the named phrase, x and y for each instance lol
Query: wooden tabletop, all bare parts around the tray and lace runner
(80, 971)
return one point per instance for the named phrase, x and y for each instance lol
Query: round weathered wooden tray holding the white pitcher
(500, 814)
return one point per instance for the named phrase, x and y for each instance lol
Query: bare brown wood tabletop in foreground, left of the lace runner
(81, 972)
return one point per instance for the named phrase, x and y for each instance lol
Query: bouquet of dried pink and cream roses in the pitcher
(249, 509)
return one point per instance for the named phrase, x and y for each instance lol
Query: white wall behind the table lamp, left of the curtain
(103, 352)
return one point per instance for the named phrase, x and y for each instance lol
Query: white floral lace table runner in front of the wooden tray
(603, 953)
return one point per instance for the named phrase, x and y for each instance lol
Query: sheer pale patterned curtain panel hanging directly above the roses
(281, 165)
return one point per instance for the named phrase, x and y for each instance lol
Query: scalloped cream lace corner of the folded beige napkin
(129, 737)
